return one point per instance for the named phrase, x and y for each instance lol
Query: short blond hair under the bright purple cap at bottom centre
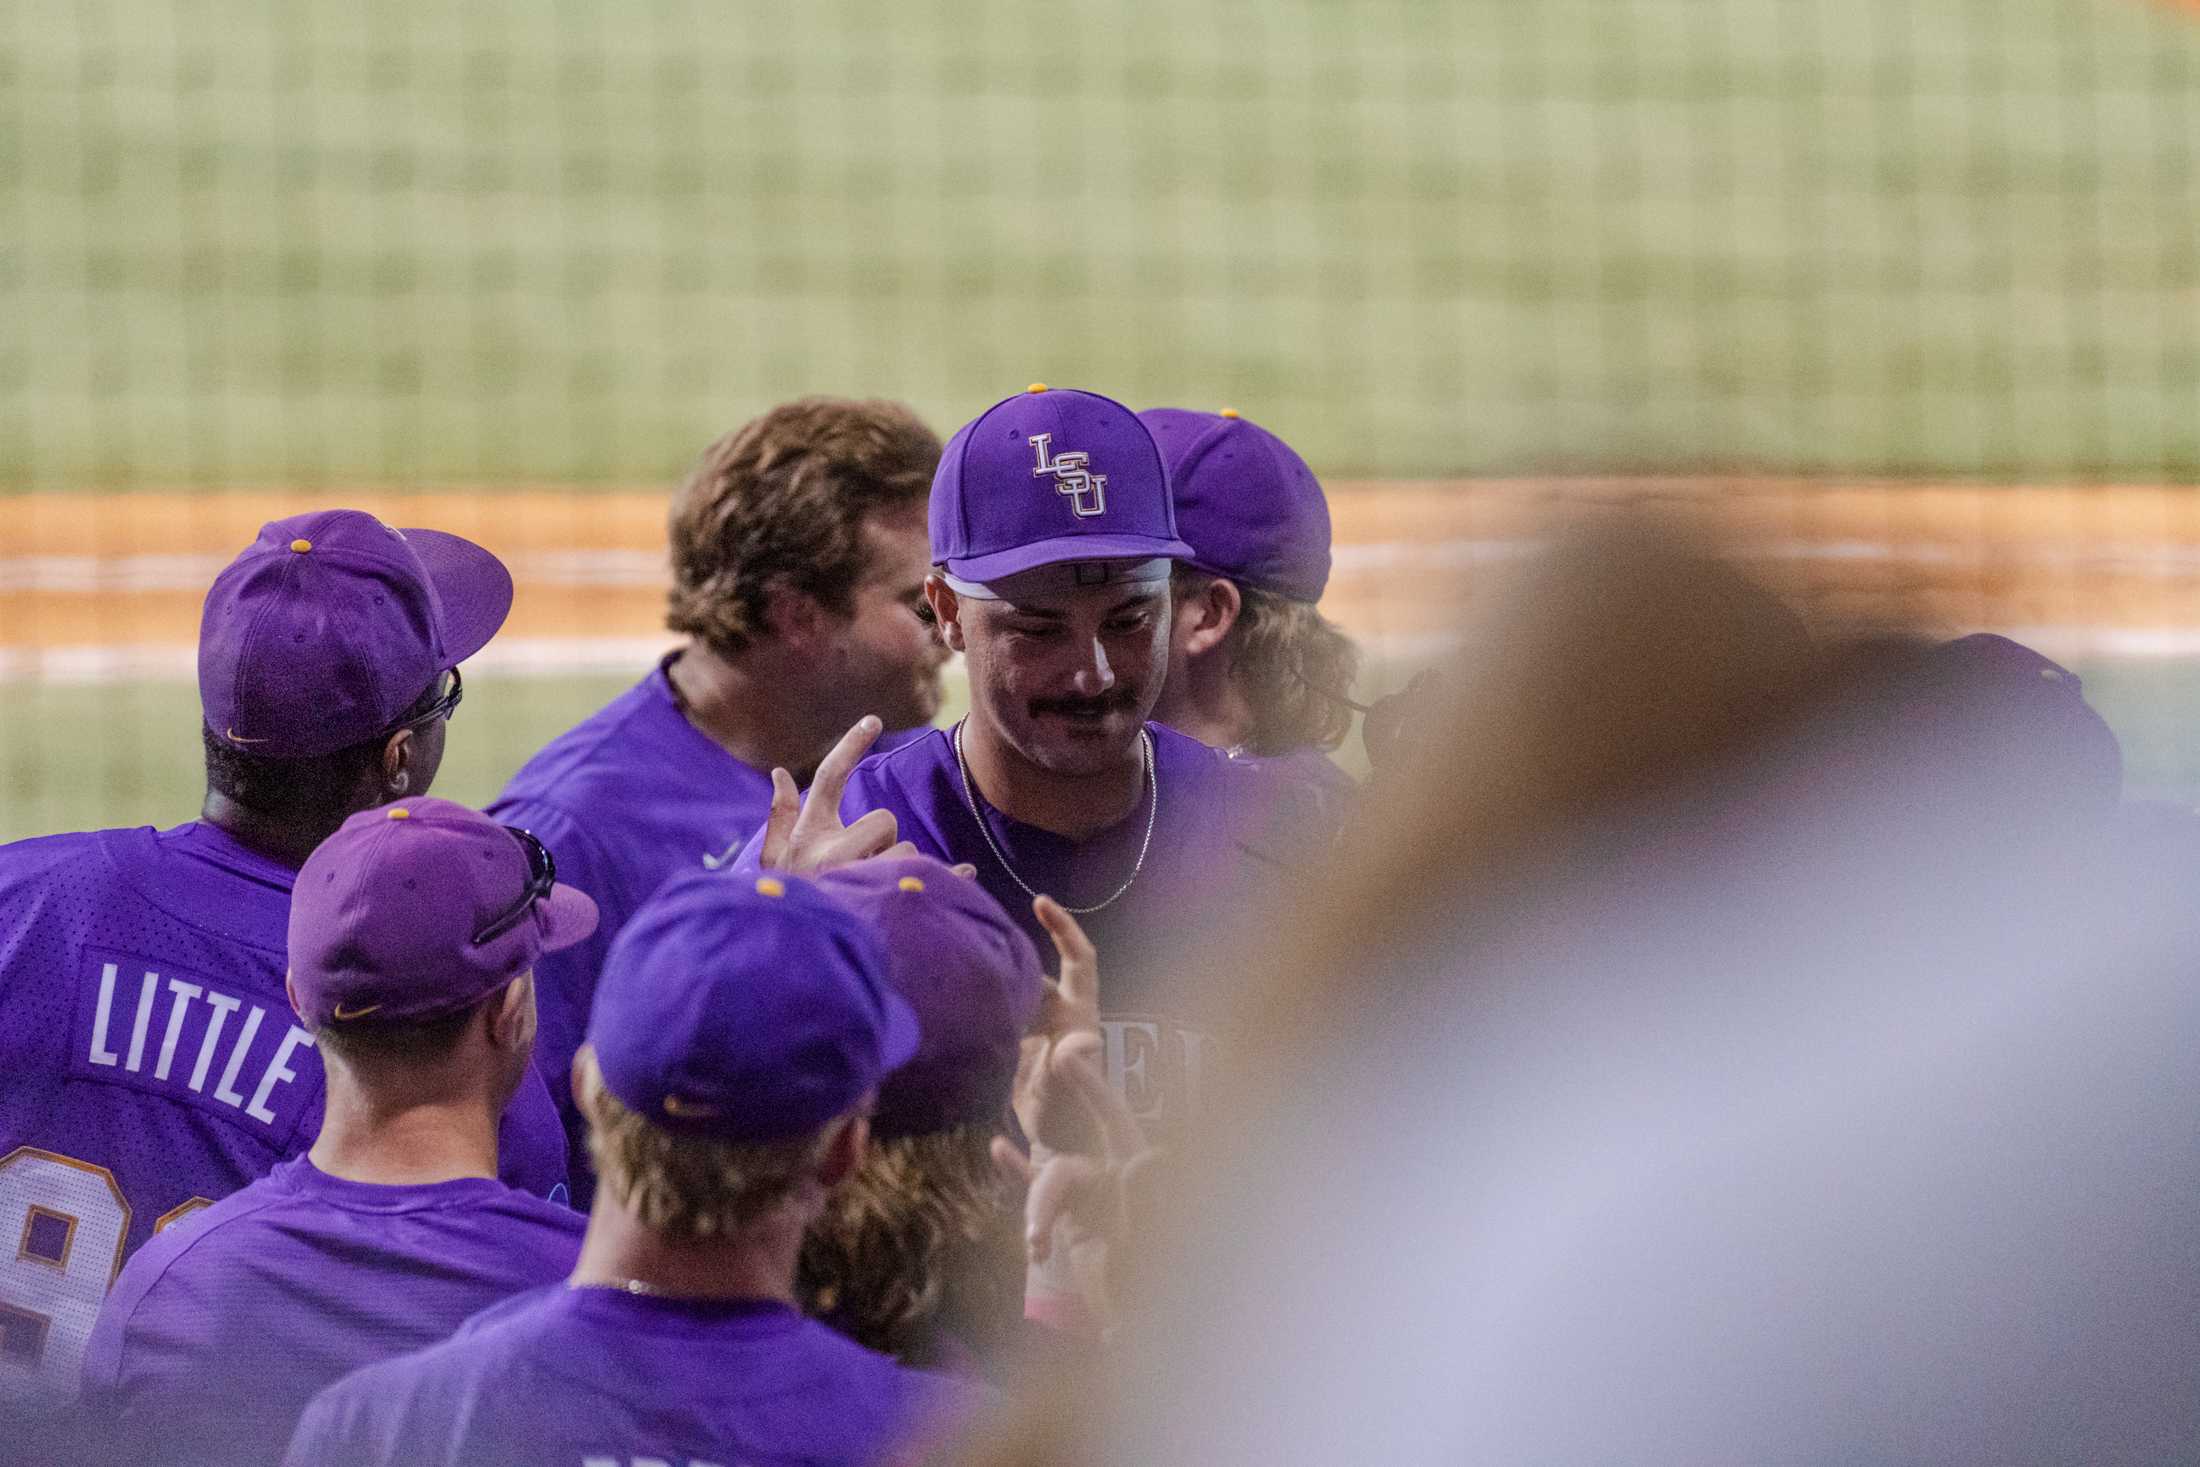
(690, 1187)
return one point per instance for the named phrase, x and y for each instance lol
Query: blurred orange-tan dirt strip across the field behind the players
(129, 571)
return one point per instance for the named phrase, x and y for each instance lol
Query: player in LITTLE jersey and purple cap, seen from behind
(151, 1055)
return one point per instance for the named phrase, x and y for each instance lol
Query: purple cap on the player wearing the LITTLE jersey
(331, 626)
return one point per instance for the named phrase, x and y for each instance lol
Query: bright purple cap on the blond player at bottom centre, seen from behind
(747, 1008)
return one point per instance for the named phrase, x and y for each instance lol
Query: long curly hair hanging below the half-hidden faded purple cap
(925, 1239)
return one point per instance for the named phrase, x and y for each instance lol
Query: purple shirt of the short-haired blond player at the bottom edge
(599, 1376)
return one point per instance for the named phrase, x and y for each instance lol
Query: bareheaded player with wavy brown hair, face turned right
(800, 564)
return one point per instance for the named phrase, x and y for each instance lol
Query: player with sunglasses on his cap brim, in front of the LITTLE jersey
(412, 940)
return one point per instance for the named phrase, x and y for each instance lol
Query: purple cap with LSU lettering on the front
(1046, 478)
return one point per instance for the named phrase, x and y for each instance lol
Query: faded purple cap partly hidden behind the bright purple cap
(969, 973)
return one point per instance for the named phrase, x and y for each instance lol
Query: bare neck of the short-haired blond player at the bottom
(758, 1264)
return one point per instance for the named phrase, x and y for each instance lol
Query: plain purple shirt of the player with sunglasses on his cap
(217, 1336)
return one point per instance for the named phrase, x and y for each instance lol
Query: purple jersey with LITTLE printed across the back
(151, 1063)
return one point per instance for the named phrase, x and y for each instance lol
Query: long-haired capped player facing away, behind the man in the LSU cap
(1253, 665)
